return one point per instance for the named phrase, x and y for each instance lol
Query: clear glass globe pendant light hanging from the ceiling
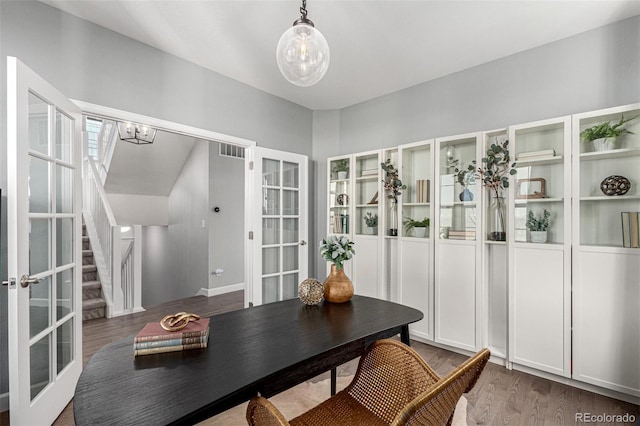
(303, 53)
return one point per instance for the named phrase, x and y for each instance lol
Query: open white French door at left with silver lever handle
(44, 250)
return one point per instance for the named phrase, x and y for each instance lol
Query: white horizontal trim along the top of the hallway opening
(170, 126)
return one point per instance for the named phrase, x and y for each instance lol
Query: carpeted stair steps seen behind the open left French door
(93, 304)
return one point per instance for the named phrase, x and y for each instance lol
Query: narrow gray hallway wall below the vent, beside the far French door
(226, 228)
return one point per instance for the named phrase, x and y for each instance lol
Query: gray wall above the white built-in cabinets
(593, 70)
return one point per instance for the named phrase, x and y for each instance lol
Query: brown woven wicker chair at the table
(392, 386)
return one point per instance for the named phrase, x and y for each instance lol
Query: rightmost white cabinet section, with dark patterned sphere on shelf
(606, 275)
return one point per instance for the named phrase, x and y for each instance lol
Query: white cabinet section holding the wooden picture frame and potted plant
(539, 270)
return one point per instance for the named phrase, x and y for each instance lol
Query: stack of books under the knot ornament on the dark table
(153, 339)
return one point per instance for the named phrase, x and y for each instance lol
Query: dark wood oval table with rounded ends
(265, 349)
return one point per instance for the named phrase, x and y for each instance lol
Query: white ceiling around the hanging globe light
(377, 47)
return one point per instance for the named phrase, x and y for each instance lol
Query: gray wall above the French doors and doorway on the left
(86, 62)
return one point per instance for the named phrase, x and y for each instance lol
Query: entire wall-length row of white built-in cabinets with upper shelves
(569, 306)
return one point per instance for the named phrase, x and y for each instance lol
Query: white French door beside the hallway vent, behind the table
(279, 226)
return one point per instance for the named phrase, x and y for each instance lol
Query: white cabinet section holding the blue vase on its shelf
(457, 247)
